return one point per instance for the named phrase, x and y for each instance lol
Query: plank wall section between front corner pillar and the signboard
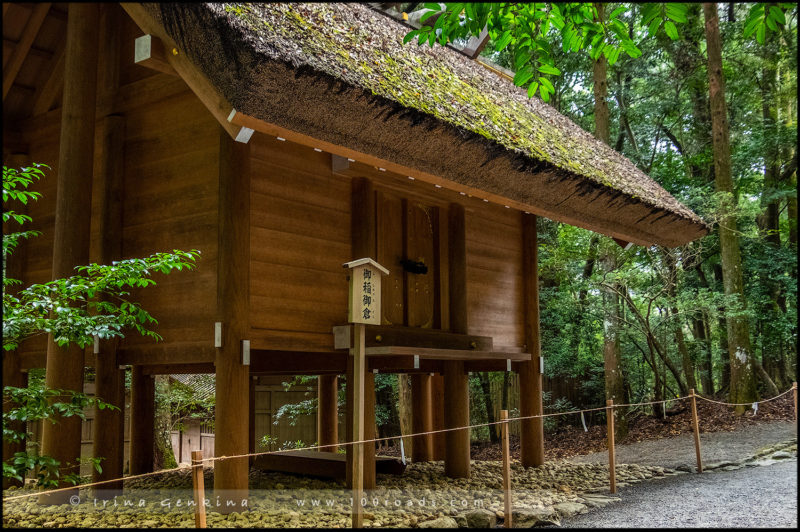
(299, 239)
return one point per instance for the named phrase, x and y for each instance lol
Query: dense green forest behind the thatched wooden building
(661, 319)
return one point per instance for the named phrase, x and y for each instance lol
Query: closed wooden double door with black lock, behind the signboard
(408, 230)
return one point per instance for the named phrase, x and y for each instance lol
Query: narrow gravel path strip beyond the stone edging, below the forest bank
(714, 446)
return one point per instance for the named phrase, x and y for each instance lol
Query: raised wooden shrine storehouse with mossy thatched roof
(282, 141)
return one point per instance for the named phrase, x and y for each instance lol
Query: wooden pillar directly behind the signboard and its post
(363, 244)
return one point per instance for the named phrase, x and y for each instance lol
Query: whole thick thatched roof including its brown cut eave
(340, 73)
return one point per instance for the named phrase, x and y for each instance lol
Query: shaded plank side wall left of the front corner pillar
(170, 202)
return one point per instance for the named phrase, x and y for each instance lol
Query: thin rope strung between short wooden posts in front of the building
(373, 440)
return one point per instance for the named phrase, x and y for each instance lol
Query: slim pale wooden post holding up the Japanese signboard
(356, 380)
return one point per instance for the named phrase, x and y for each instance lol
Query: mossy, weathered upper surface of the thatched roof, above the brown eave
(363, 49)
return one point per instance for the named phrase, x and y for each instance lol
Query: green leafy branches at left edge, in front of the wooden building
(91, 304)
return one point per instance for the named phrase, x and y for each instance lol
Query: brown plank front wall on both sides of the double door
(300, 236)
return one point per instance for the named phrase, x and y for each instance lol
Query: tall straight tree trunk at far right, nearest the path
(742, 389)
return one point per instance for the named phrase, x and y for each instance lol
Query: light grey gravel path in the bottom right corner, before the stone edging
(752, 497)
